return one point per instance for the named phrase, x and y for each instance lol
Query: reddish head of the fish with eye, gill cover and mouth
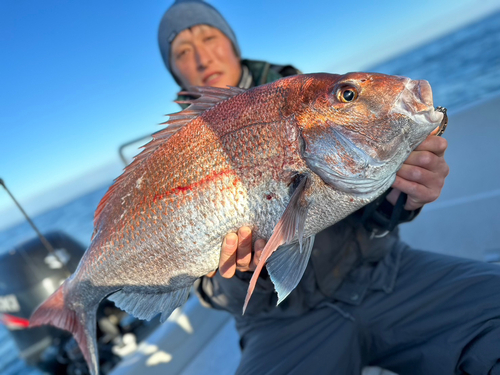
(360, 127)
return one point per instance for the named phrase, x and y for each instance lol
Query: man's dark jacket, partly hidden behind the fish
(347, 259)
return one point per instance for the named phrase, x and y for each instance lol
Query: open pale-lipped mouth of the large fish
(416, 102)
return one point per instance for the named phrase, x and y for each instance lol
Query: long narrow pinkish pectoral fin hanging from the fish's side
(290, 226)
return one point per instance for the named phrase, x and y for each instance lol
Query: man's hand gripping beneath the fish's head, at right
(422, 175)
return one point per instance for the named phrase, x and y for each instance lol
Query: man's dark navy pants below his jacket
(443, 317)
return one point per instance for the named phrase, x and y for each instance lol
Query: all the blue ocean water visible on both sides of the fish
(462, 67)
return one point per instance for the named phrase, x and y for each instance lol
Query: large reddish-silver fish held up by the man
(287, 159)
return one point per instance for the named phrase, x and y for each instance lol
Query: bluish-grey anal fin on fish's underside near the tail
(147, 305)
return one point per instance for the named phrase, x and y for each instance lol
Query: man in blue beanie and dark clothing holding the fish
(365, 298)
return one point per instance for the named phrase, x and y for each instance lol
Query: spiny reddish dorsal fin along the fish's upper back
(205, 98)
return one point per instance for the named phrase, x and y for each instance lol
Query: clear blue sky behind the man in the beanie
(77, 79)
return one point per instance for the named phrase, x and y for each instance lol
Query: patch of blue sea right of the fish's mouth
(462, 67)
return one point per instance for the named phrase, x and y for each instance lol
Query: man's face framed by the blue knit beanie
(203, 56)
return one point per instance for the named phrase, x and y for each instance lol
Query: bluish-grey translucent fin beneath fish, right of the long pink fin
(287, 265)
